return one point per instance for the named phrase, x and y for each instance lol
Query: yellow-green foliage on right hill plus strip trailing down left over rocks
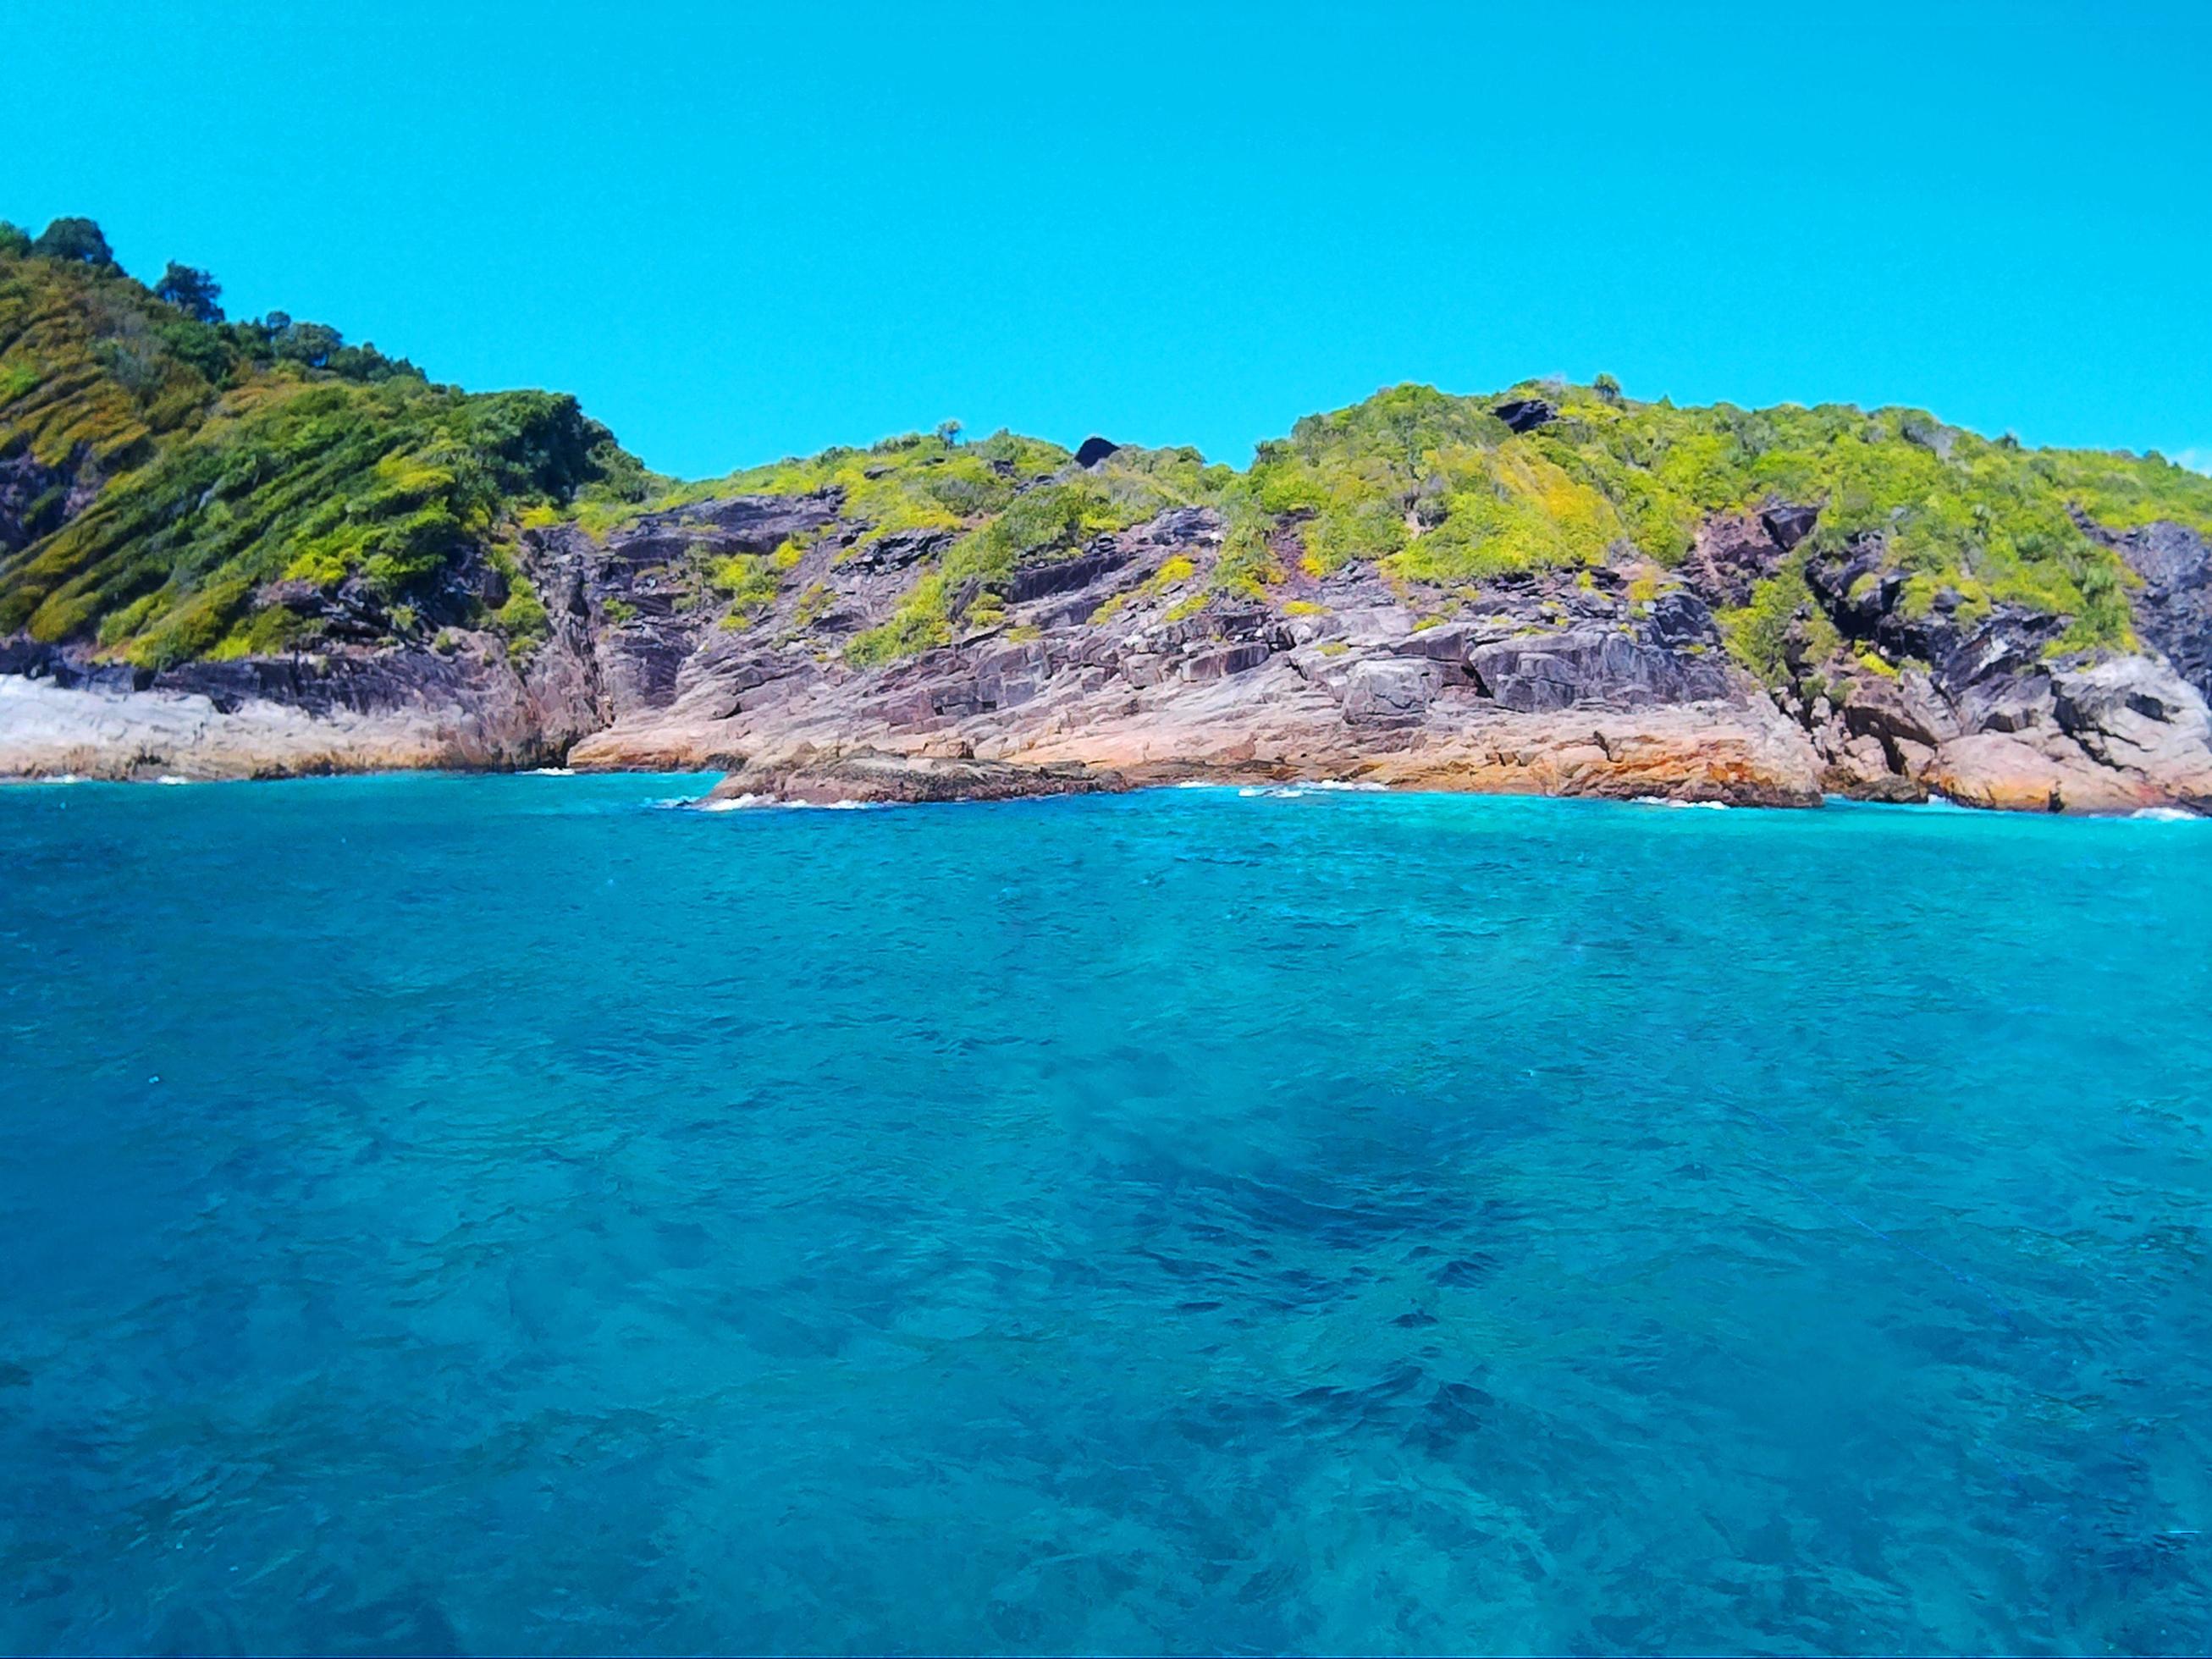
(1441, 494)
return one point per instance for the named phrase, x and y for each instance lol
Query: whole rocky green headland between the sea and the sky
(304, 554)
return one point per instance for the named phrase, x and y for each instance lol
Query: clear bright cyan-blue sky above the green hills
(751, 231)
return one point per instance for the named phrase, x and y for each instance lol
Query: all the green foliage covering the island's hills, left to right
(247, 474)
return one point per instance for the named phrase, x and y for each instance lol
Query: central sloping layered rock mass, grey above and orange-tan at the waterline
(1105, 662)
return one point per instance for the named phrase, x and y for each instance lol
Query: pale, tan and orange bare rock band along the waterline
(1262, 729)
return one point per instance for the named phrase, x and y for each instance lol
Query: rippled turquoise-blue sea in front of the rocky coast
(505, 1213)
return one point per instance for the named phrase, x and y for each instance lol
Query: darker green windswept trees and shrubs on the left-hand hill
(253, 481)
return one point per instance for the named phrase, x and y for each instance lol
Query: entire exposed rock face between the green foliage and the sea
(1120, 662)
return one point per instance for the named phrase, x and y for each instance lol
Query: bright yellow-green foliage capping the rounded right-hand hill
(1441, 490)
